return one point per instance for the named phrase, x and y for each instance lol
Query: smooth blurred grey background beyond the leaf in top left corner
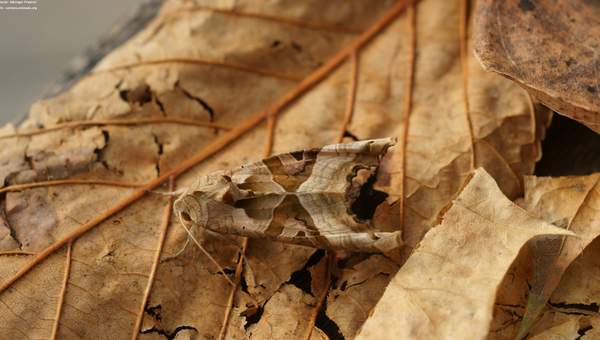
(36, 47)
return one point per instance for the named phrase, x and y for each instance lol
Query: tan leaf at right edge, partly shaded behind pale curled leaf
(567, 202)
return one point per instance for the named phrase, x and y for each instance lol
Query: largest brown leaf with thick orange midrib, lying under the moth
(234, 66)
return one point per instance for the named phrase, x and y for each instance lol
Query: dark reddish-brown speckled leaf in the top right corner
(549, 47)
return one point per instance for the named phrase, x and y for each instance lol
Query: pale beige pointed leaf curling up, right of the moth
(447, 288)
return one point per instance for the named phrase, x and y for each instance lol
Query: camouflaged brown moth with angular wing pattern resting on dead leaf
(313, 197)
